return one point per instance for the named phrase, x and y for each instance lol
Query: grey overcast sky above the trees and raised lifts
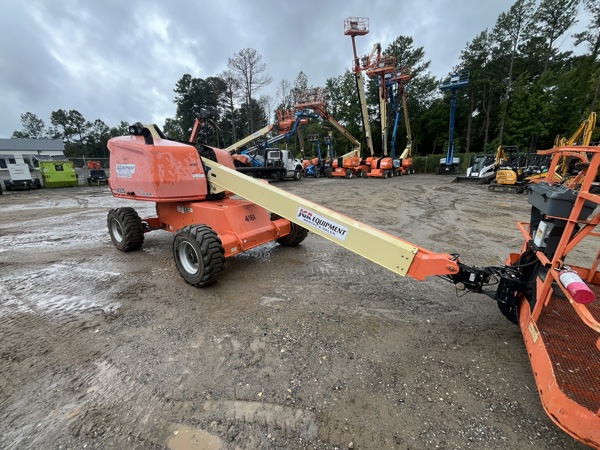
(119, 60)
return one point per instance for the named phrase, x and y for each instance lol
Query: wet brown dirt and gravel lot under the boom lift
(306, 347)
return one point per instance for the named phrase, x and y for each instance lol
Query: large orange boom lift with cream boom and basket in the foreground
(196, 190)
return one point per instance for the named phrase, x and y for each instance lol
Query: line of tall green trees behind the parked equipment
(523, 90)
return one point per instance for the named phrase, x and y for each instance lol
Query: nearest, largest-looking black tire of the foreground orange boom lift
(199, 255)
